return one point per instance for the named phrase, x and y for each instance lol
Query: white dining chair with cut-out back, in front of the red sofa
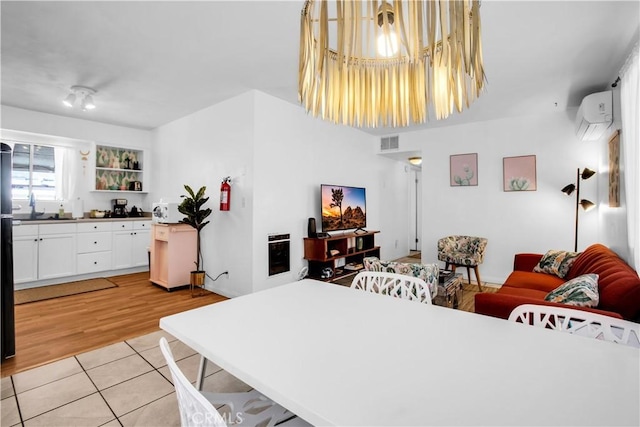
(578, 322)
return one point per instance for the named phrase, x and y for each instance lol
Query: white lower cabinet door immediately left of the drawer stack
(56, 255)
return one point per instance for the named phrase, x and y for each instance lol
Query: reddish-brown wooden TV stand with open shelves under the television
(329, 252)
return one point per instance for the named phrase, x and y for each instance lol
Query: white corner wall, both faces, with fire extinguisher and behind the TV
(277, 157)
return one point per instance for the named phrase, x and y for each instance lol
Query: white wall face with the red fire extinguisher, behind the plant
(201, 149)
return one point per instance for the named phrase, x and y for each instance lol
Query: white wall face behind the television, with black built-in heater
(294, 154)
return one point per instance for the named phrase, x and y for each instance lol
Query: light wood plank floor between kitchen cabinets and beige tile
(54, 329)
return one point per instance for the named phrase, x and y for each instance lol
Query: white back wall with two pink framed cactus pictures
(530, 221)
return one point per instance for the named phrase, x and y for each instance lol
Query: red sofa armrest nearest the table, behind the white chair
(501, 305)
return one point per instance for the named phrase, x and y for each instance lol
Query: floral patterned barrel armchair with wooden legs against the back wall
(463, 251)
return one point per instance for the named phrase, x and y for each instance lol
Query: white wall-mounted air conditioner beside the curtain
(595, 116)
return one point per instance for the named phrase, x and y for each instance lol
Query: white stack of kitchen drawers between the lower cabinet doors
(94, 247)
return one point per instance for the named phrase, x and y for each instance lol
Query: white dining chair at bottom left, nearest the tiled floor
(198, 408)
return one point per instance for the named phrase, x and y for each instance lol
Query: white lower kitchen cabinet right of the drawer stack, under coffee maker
(130, 242)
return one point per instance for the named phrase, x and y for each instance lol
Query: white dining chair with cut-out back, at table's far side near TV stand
(393, 284)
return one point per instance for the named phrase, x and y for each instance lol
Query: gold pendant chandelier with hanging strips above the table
(375, 63)
